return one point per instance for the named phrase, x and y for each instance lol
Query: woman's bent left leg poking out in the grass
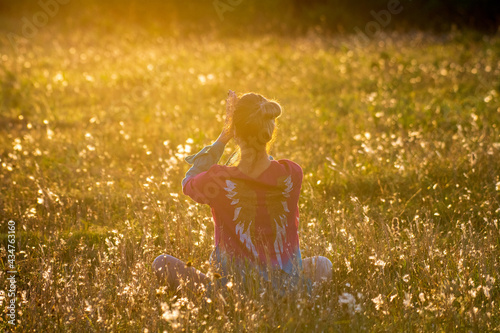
(171, 271)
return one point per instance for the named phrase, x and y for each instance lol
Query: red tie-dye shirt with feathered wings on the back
(255, 218)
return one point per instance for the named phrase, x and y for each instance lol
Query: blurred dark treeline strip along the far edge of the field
(256, 16)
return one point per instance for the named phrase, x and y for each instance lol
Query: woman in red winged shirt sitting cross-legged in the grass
(254, 204)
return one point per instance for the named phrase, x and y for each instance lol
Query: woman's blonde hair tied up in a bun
(254, 119)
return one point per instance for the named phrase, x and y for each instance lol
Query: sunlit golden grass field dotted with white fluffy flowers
(398, 136)
